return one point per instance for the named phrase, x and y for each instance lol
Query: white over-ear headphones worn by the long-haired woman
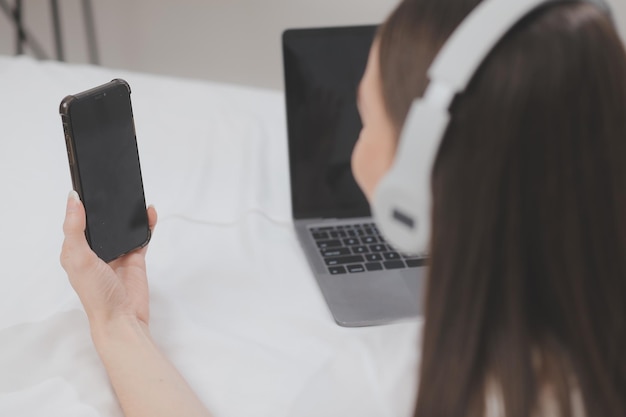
(402, 201)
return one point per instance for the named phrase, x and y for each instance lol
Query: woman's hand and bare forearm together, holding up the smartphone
(115, 297)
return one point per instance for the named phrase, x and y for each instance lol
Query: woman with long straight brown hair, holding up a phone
(525, 309)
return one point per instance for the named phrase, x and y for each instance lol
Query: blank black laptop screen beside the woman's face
(323, 68)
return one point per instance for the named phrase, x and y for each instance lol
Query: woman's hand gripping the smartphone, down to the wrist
(108, 291)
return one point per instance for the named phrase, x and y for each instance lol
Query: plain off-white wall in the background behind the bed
(235, 41)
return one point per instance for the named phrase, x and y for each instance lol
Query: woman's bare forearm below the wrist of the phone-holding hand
(145, 381)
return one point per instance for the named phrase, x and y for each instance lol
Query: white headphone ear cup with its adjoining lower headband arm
(402, 201)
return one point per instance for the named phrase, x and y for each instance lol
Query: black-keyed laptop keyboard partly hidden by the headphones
(358, 248)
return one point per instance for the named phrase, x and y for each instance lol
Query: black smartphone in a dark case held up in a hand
(104, 164)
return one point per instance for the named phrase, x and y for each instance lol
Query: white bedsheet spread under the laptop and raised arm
(233, 303)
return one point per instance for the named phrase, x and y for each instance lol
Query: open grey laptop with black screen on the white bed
(363, 279)
